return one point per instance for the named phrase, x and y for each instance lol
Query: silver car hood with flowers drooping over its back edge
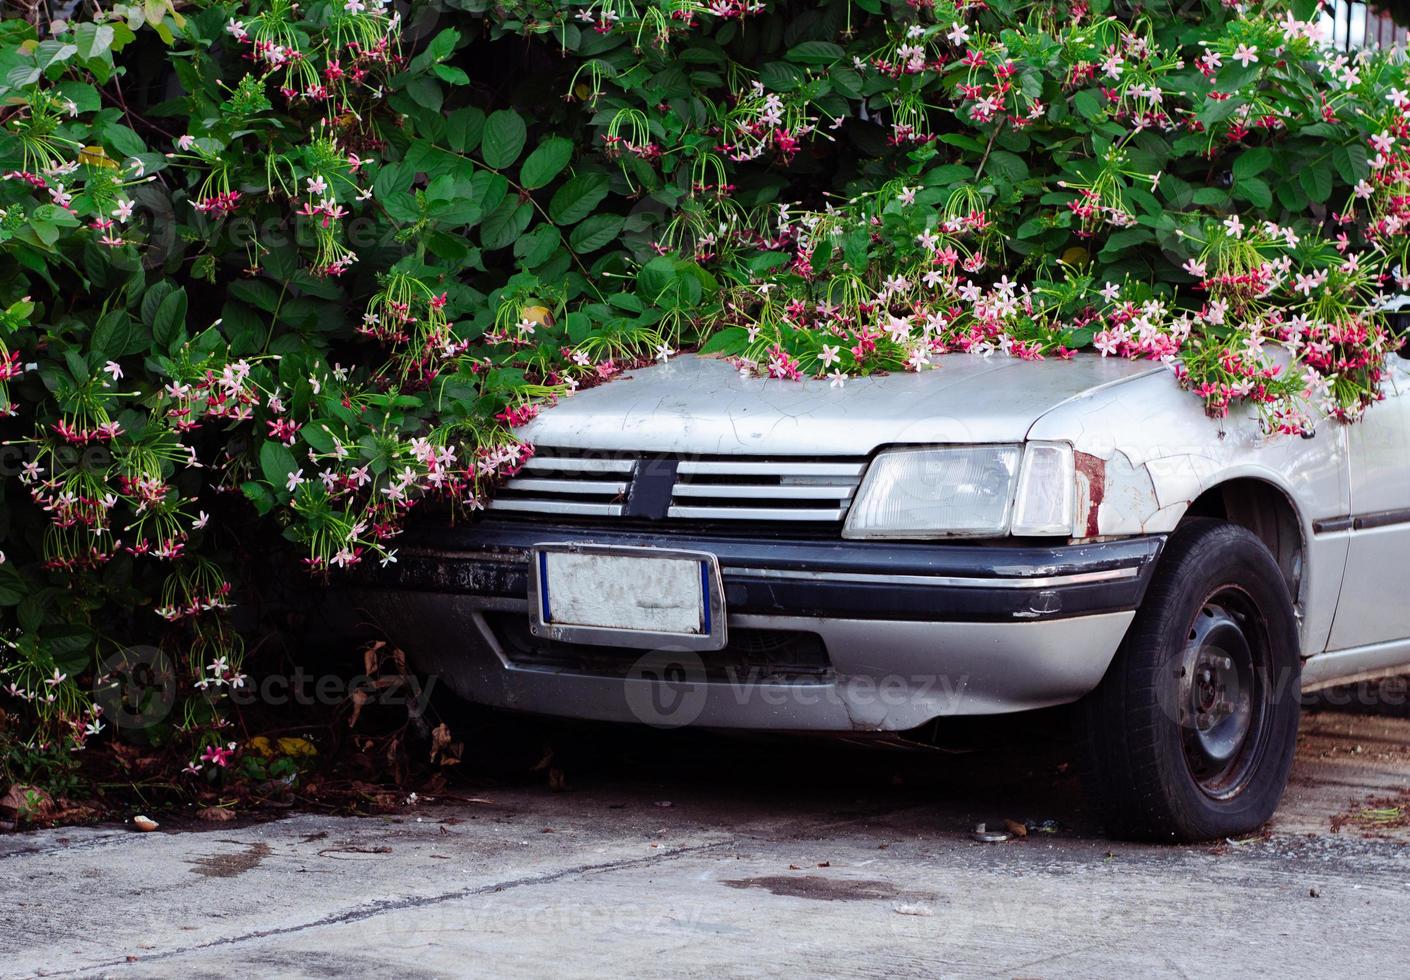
(703, 405)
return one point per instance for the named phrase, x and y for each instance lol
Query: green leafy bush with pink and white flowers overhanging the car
(309, 264)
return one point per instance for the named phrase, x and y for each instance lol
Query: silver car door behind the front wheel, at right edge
(1375, 593)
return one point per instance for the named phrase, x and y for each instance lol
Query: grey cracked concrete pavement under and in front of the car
(771, 859)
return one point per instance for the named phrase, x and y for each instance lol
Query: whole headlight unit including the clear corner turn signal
(967, 491)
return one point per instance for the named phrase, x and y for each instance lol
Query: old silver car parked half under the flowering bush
(696, 546)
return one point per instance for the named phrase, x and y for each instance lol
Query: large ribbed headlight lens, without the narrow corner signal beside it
(961, 491)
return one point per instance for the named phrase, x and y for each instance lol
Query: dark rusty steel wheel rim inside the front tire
(1223, 699)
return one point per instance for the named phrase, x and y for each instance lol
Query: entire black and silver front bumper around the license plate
(826, 635)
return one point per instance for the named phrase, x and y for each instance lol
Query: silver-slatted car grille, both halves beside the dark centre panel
(706, 489)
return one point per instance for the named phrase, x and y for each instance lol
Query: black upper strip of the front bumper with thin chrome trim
(986, 582)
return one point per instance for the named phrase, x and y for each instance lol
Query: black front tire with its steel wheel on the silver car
(1192, 733)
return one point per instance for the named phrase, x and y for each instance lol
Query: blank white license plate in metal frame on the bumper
(645, 599)
